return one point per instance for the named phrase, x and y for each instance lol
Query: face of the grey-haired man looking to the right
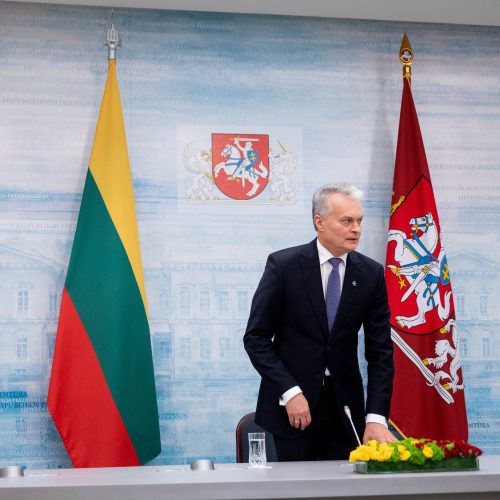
(340, 230)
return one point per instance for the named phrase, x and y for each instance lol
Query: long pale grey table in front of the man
(292, 480)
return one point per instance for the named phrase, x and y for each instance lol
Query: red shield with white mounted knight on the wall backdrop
(240, 164)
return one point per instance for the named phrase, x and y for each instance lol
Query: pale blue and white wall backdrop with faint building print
(326, 93)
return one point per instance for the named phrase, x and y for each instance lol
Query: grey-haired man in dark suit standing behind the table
(302, 337)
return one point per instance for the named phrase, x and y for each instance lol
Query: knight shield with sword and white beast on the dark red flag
(422, 309)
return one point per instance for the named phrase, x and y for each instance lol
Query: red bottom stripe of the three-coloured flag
(85, 431)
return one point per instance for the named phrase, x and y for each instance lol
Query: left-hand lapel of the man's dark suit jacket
(311, 274)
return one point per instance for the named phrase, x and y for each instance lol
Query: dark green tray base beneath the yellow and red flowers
(448, 465)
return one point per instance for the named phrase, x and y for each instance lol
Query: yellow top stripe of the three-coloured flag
(110, 168)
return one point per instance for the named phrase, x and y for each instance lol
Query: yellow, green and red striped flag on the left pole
(102, 393)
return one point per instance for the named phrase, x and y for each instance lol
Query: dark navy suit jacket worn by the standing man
(288, 341)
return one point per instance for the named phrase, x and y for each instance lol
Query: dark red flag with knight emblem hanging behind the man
(428, 398)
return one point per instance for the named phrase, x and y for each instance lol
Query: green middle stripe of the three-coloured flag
(103, 288)
